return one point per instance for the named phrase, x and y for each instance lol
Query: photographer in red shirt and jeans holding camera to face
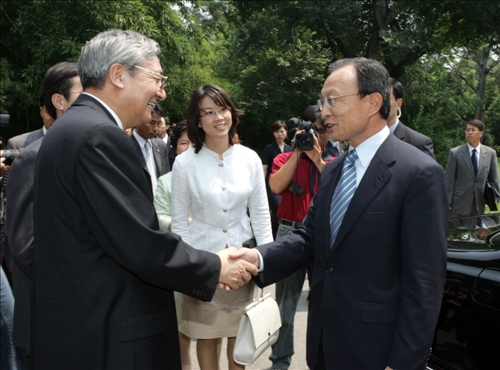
(295, 176)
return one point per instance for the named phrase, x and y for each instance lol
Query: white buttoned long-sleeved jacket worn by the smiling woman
(217, 194)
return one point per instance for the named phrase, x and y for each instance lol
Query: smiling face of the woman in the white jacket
(216, 126)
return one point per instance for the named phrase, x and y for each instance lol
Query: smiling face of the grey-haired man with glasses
(141, 92)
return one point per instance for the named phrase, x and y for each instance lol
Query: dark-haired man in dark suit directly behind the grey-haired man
(61, 86)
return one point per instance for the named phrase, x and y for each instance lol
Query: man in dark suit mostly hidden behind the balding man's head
(401, 131)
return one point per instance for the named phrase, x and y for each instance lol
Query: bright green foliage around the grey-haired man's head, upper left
(37, 34)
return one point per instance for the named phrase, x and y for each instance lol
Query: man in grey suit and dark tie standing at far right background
(469, 167)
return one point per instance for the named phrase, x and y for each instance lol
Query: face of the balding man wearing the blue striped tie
(348, 120)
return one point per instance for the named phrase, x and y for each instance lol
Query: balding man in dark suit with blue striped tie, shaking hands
(378, 282)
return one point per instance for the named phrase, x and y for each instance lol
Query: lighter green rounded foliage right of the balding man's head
(438, 103)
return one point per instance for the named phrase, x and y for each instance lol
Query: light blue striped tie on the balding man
(342, 195)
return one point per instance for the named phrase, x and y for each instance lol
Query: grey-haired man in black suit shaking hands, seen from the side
(104, 271)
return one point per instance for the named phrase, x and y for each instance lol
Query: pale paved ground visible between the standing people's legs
(298, 360)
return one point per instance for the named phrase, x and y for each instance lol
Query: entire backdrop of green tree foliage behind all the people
(271, 56)
